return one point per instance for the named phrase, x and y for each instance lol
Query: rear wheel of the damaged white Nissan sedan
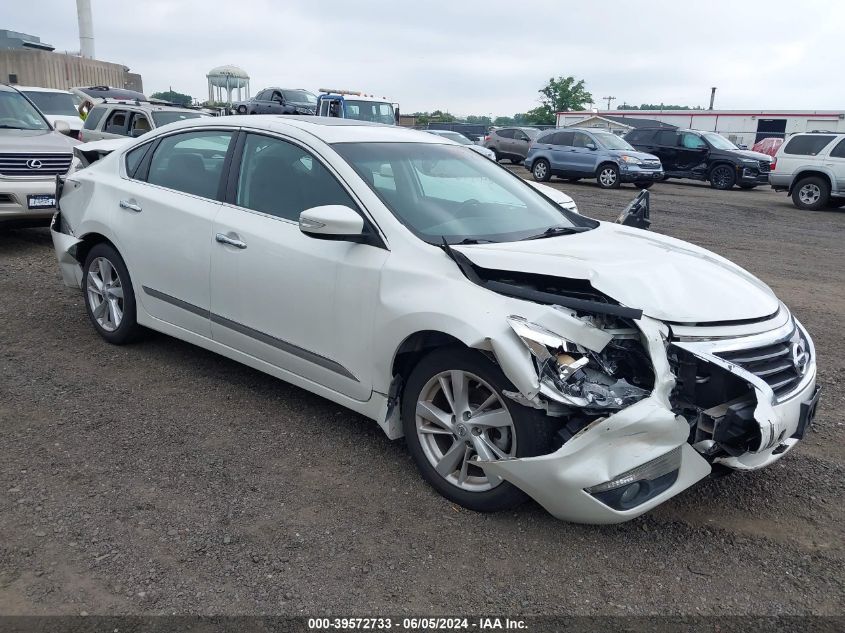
(109, 296)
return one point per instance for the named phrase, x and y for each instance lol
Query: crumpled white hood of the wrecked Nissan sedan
(667, 279)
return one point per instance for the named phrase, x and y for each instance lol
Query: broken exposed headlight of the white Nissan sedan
(616, 377)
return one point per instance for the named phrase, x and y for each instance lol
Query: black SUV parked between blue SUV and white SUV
(703, 156)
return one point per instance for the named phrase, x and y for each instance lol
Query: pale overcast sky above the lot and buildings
(473, 56)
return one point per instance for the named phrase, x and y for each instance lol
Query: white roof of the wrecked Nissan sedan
(328, 129)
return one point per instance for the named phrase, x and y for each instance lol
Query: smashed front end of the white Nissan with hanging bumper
(643, 409)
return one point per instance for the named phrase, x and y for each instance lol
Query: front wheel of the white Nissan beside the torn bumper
(453, 411)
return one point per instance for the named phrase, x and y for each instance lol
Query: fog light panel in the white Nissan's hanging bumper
(638, 485)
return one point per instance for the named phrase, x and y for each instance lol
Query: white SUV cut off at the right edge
(811, 167)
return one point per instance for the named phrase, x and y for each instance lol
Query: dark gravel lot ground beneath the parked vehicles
(161, 478)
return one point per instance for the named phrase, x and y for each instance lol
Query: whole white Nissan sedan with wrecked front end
(521, 349)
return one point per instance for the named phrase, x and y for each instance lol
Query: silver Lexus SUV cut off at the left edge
(32, 154)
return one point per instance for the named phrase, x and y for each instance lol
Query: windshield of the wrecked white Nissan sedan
(443, 191)
